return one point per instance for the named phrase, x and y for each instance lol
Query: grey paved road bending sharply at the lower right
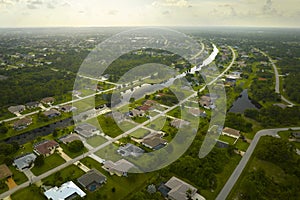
(242, 164)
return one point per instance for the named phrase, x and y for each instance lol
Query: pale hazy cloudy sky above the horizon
(76, 13)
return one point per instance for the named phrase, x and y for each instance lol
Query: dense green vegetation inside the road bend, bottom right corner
(271, 173)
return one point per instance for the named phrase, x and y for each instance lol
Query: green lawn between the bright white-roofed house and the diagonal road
(70, 173)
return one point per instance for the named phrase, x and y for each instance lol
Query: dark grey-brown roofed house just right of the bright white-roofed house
(92, 180)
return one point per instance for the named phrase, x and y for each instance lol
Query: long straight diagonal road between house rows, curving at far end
(92, 151)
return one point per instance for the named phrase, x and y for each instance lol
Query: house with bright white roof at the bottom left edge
(66, 191)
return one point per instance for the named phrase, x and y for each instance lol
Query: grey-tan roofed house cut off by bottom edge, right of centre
(176, 189)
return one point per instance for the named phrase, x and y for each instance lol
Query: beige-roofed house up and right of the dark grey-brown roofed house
(120, 168)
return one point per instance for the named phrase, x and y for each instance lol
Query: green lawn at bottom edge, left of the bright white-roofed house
(28, 193)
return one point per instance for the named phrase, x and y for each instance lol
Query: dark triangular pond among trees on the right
(243, 103)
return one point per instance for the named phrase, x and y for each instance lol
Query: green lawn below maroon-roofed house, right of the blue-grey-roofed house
(50, 163)
